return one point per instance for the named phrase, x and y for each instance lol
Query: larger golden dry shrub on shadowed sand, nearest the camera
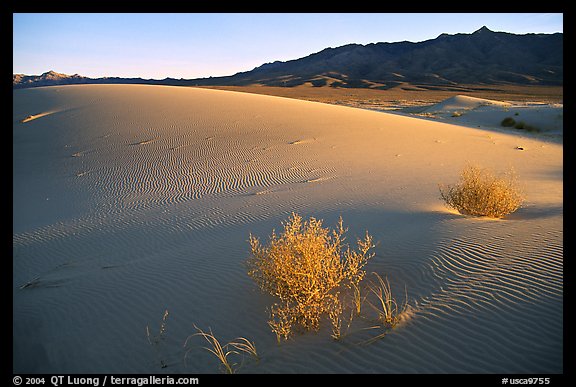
(309, 269)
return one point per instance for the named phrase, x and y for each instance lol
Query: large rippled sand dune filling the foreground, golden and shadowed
(130, 200)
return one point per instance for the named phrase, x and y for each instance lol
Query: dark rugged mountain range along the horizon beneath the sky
(482, 57)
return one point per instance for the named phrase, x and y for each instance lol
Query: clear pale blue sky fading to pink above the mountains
(215, 44)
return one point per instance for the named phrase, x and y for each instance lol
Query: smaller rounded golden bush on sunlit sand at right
(482, 193)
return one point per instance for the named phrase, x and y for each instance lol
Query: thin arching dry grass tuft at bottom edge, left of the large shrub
(224, 353)
